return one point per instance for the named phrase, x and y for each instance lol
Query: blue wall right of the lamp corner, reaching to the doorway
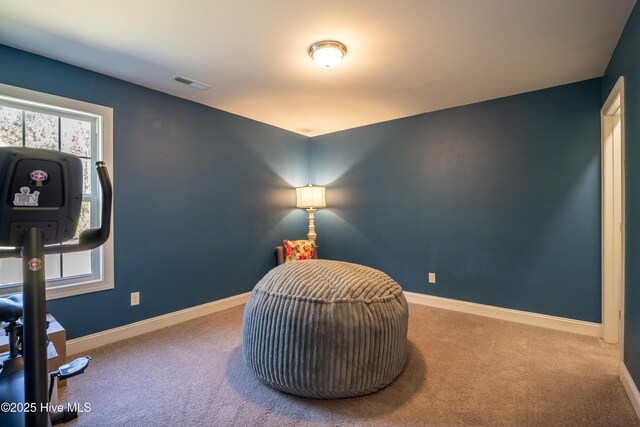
(501, 199)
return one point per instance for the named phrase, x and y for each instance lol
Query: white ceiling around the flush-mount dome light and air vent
(404, 57)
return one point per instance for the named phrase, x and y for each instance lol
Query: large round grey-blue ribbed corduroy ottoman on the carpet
(326, 329)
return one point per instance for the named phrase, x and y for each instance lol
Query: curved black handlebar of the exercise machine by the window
(89, 239)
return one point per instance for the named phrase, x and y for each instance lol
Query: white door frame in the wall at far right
(613, 222)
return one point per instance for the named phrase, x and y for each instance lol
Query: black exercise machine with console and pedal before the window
(40, 201)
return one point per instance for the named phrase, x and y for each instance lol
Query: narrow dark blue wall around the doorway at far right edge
(626, 62)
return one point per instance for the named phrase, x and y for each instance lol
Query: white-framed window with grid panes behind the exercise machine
(37, 120)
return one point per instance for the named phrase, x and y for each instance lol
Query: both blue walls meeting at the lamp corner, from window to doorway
(501, 199)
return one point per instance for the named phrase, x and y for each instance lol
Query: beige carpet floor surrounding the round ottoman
(463, 370)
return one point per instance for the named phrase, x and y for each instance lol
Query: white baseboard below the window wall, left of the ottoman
(88, 342)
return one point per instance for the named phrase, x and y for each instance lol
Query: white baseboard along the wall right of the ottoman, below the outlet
(535, 319)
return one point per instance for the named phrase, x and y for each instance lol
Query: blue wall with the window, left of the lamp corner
(201, 196)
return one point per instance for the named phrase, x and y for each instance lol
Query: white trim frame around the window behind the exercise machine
(13, 93)
